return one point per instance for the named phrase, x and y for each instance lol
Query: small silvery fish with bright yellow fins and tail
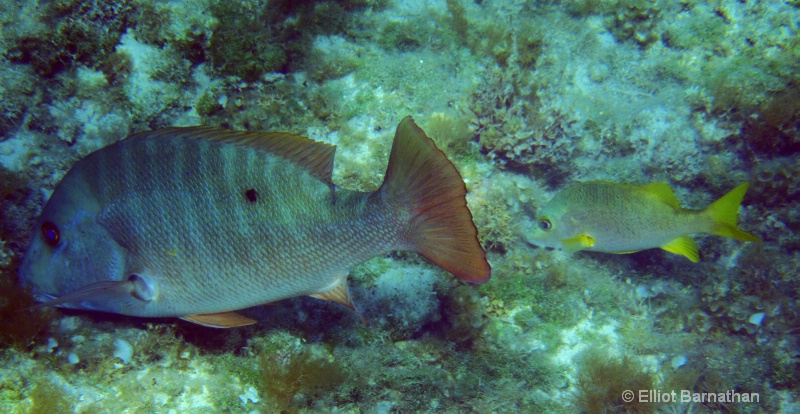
(619, 218)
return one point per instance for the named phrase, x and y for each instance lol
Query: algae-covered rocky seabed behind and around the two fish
(526, 98)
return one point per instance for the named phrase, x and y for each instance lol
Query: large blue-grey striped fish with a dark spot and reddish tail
(199, 222)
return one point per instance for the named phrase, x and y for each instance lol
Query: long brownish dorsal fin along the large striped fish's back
(315, 157)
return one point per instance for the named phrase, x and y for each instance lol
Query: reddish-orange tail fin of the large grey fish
(421, 179)
